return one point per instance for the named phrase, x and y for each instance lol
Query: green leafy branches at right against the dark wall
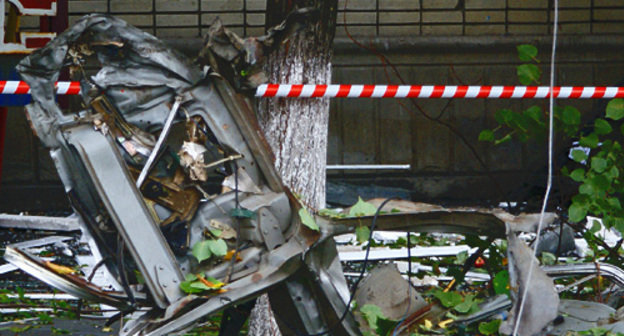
(600, 186)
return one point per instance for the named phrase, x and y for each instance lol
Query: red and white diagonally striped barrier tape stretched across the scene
(386, 91)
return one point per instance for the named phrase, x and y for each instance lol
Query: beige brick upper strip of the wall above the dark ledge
(191, 18)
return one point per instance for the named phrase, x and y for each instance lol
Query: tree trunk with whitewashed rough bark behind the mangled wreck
(296, 129)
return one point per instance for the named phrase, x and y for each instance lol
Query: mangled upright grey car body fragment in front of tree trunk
(143, 162)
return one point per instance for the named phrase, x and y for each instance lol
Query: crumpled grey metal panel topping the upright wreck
(131, 59)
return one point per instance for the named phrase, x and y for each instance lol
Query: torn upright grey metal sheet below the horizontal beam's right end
(541, 300)
